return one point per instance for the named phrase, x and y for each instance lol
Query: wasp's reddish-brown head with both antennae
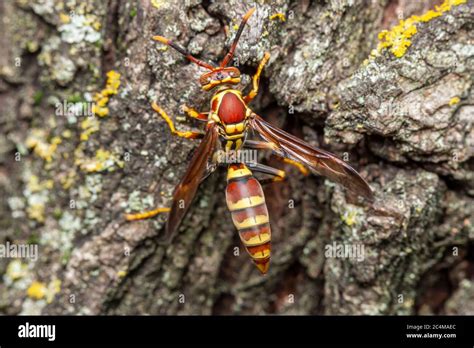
(218, 75)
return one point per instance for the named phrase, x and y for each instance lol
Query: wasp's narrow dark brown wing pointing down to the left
(186, 189)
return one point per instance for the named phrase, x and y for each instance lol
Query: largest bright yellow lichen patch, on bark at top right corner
(398, 39)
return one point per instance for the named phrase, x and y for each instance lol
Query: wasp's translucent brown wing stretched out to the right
(318, 161)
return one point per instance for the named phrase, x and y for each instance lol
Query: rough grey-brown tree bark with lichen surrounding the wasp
(405, 123)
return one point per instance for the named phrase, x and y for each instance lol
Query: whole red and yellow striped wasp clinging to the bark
(228, 123)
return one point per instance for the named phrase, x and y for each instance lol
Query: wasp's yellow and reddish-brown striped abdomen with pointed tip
(246, 202)
